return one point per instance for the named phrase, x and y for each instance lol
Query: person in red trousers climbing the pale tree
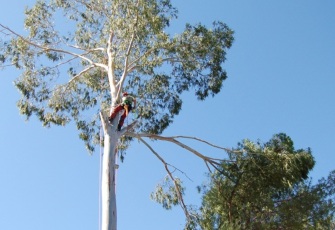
(128, 103)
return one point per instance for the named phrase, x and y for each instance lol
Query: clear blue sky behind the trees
(281, 72)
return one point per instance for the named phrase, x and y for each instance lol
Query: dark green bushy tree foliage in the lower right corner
(265, 186)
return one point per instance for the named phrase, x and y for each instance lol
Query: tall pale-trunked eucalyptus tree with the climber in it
(78, 56)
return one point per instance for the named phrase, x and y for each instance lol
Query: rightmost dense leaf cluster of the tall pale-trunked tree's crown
(202, 52)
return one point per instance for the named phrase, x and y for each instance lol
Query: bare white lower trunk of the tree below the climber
(108, 193)
